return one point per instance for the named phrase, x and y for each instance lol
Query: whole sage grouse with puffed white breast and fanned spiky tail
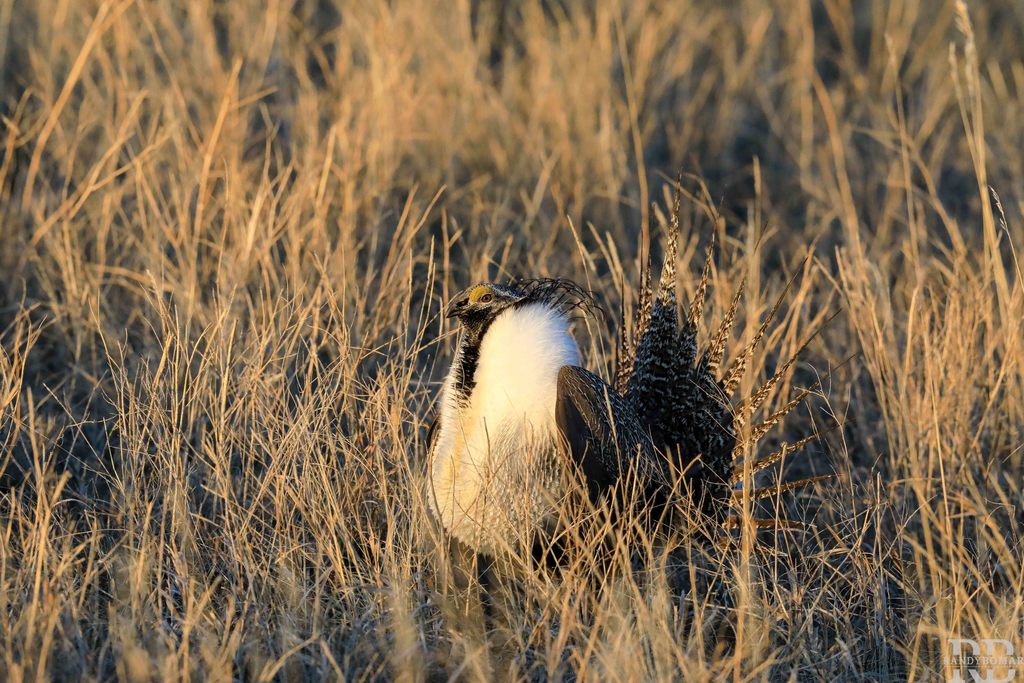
(517, 408)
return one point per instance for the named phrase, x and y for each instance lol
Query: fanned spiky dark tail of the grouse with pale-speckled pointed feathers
(674, 388)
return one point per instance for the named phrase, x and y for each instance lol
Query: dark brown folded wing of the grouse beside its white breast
(603, 435)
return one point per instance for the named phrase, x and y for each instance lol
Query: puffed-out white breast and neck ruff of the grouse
(493, 475)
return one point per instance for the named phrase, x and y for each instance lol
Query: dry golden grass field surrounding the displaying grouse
(228, 230)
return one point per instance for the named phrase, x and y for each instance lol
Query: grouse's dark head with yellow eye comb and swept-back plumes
(478, 307)
